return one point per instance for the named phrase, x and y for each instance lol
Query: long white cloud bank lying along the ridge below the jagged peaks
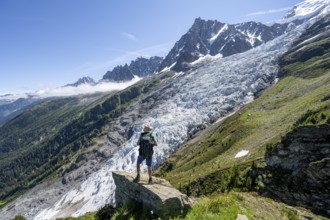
(84, 89)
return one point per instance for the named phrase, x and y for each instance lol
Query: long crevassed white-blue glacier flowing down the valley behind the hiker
(202, 96)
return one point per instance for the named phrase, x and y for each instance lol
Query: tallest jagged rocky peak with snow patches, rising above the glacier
(216, 38)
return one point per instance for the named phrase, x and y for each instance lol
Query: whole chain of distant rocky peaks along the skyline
(203, 38)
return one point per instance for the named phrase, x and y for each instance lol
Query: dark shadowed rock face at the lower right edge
(300, 166)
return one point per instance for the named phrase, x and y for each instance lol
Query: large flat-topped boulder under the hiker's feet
(160, 197)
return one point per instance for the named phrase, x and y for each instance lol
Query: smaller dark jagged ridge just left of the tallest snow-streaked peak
(140, 67)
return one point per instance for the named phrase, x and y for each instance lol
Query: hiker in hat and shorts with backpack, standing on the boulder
(146, 142)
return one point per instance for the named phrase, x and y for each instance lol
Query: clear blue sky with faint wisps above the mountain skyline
(46, 43)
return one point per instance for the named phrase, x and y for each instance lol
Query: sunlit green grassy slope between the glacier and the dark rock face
(302, 96)
